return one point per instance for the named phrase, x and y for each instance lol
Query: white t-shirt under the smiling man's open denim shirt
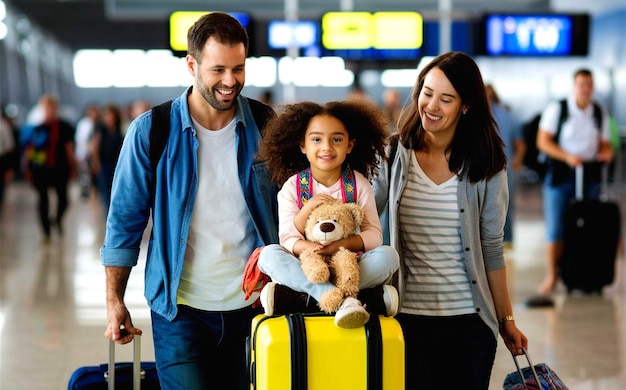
(221, 235)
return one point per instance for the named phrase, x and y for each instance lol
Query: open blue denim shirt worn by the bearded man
(175, 190)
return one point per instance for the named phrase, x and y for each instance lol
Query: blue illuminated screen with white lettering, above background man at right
(529, 35)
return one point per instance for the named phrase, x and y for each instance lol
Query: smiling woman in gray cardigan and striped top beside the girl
(444, 193)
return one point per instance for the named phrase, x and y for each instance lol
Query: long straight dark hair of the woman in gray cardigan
(476, 146)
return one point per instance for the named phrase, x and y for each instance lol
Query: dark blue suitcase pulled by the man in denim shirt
(126, 376)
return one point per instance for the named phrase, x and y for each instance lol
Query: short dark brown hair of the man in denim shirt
(219, 25)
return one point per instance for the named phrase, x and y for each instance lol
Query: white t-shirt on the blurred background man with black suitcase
(579, 133)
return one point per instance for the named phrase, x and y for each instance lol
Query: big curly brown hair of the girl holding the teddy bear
(282, 137)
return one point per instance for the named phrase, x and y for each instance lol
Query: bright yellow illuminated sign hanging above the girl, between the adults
(364, 30)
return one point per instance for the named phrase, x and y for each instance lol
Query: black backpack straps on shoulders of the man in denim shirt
(159, 132)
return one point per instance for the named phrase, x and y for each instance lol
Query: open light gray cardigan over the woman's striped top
(482, 208)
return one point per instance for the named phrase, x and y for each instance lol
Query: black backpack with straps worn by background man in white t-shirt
(533, 158)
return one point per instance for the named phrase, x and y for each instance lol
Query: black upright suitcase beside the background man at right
(590, 240)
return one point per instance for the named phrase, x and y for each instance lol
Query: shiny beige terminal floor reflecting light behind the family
(52, 312)
